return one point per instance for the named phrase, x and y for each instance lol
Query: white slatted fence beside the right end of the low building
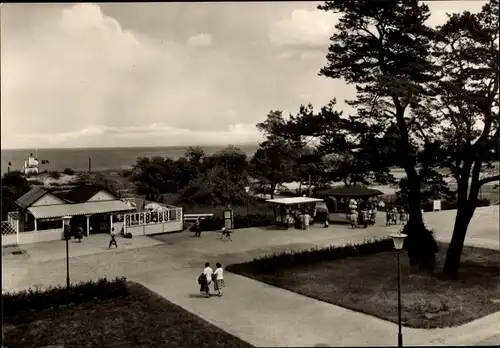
(146, 223)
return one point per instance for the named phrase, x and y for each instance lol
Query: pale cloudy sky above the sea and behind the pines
(163, 74)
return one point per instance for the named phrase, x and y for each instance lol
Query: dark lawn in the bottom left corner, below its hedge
(142, 319)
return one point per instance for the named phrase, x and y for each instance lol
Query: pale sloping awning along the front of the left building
(87, 208)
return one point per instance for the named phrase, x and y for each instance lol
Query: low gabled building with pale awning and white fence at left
(40, 214)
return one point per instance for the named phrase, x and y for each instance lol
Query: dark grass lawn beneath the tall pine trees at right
(368, 284)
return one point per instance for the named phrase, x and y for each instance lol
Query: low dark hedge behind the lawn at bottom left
(22, 302)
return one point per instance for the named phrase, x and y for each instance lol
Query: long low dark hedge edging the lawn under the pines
(275, 262)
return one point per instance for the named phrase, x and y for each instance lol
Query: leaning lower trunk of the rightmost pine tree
(464, 215)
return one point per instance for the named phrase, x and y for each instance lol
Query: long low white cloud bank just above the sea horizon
(146, 135)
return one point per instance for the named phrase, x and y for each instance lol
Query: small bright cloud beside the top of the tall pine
(304, 29)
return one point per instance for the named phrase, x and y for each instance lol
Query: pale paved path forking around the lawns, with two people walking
(261, 314)
